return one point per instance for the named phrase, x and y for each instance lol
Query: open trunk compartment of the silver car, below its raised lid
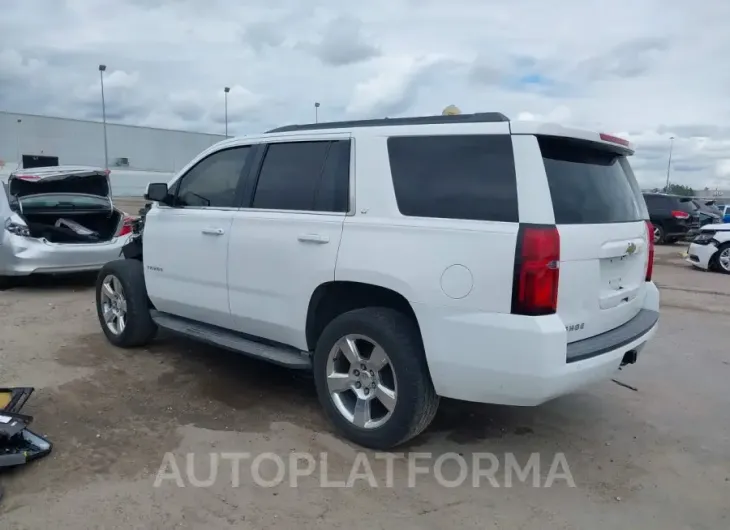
(68, 227)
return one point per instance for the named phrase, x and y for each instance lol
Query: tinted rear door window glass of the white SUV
(304, 176)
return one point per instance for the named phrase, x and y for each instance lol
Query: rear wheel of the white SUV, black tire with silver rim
(372, 379)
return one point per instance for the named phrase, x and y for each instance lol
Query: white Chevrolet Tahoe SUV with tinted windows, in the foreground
(400, 260)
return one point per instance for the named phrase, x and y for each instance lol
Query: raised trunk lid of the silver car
(54, 180)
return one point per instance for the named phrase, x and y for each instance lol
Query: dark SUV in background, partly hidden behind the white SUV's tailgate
(673, 217)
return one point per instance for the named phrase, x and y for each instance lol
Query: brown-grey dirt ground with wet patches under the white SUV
(654, 458)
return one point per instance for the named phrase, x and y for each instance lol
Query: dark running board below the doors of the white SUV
(230, 340)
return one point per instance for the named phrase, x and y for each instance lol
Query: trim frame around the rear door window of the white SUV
(258, 162)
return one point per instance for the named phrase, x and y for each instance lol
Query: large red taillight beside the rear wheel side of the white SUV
(537, 269)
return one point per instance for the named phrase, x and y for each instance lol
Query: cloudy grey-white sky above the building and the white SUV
(646, 69)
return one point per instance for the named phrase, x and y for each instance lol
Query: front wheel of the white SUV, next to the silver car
(122, 305)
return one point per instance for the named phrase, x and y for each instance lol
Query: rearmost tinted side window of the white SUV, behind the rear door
(455, 177)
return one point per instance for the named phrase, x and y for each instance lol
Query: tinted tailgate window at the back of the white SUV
(589, 185)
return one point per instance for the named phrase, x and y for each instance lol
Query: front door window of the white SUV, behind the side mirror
(213, 181)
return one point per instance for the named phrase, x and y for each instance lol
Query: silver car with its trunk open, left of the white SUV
(58, 220)
